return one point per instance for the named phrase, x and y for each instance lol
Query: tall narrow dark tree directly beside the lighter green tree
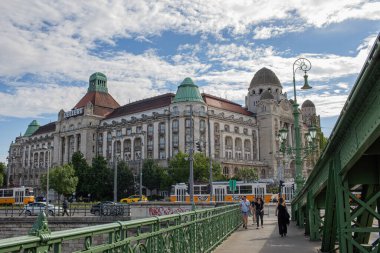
(82, 169)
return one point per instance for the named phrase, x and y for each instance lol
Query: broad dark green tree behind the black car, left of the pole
(100, 180)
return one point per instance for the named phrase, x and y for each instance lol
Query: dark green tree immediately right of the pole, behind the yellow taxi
(125, 183)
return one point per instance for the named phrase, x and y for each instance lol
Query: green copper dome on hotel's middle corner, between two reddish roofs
(188, 92)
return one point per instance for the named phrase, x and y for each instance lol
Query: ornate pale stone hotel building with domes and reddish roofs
(159, 127)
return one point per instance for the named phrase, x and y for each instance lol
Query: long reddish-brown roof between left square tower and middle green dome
(143, 105)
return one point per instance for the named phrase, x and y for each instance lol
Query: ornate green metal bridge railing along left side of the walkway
(195, 231)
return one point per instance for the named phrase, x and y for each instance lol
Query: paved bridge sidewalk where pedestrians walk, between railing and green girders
(268, 240)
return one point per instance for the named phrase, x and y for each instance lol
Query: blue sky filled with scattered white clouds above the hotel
(49, 49)
